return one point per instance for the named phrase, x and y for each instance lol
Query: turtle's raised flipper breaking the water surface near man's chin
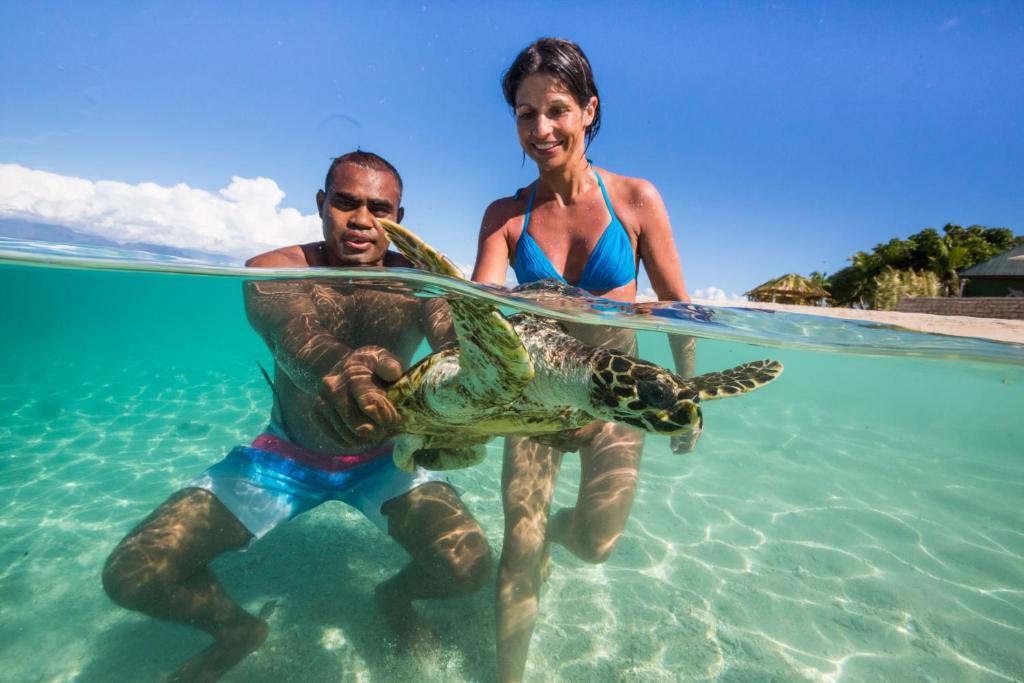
(496, 366)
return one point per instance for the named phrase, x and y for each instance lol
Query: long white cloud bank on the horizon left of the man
(240, 221)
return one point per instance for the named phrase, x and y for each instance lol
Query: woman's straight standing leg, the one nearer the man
(529, 475)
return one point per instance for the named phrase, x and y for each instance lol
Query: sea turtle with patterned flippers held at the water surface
(527, 375)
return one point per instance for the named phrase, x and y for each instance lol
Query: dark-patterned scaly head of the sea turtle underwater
(644, 396)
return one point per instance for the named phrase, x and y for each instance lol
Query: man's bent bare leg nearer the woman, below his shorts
(450, 552)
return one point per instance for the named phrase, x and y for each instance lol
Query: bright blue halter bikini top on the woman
(611, 266)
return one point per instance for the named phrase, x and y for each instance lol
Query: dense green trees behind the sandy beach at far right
(877, 277)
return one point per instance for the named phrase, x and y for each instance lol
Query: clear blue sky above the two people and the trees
(783, 137)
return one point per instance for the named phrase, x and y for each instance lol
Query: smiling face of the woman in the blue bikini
(551, 124)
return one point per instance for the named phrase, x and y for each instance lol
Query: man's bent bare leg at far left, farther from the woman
(161, 570)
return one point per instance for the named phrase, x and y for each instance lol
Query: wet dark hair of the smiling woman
(565, 61)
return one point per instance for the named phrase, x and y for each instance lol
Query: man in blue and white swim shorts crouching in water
(334, 347)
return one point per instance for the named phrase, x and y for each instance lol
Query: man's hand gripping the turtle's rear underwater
(353, 403)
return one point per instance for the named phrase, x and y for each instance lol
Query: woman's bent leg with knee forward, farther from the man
(610, 466)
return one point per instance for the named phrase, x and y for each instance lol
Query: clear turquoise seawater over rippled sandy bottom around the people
(861, 520)
